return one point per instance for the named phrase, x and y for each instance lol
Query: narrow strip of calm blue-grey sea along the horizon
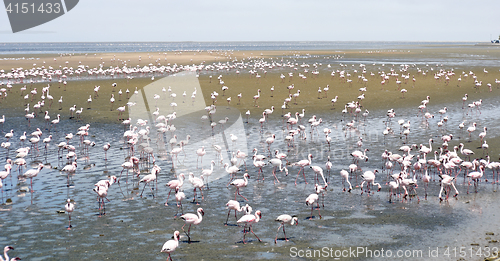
(17, 48)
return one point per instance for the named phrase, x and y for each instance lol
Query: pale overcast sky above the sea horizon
(267, 20)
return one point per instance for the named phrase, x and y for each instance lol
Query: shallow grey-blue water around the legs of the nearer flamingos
(136, 227)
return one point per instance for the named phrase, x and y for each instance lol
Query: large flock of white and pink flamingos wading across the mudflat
(412, 168)
